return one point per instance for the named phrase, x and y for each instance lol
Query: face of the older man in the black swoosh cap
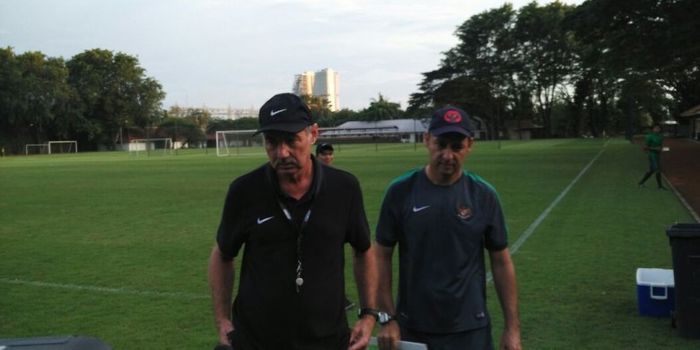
(289, 153)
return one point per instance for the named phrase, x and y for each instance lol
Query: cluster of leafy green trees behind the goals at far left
(90, 98)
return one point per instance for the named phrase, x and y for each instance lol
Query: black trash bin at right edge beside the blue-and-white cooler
(685, 248)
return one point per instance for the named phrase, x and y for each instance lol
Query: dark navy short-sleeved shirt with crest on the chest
(441, 232)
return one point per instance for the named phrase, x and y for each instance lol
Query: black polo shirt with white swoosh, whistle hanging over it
(268, 310)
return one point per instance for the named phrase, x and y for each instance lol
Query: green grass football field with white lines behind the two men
(116, 246)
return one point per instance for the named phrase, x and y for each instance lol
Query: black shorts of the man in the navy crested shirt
(478, 339)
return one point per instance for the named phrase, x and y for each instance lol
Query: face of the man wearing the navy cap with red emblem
(447, 152)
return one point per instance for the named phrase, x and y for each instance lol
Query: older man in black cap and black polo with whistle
(292, 217)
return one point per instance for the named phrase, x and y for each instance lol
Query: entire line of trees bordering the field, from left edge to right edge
(603, 67)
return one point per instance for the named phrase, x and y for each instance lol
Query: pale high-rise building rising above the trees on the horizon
(323, 83)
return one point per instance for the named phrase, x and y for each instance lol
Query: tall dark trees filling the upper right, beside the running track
(604, 66)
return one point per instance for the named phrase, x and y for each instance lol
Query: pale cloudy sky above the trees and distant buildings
(238, 53)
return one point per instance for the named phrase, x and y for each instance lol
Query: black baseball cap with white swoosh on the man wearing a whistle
(284, 112)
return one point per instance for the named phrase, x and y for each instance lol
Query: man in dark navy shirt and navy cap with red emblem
(442, 218)
